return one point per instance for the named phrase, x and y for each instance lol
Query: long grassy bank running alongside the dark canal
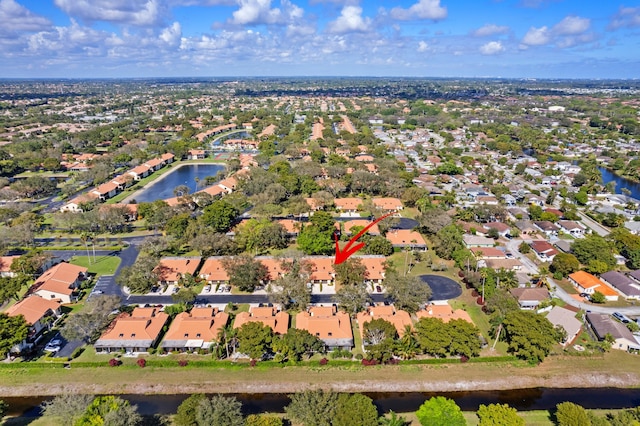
(614, 369)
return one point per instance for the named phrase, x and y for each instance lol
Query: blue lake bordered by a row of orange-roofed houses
(185, 174)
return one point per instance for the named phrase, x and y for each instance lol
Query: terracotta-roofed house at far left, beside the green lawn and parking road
(60, 282)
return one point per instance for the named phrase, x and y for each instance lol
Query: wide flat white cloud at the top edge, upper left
(133, 12)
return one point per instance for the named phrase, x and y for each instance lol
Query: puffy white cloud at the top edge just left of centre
(255, 12)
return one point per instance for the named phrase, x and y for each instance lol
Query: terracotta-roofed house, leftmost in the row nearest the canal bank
(135, 332)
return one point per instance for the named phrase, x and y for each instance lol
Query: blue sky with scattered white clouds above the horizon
(416, 38)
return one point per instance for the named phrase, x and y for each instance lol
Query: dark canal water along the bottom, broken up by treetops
(521, 399)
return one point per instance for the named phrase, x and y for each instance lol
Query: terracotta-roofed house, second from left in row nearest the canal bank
(197, 329)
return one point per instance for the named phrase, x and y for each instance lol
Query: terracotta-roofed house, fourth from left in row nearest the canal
(331, 326)
